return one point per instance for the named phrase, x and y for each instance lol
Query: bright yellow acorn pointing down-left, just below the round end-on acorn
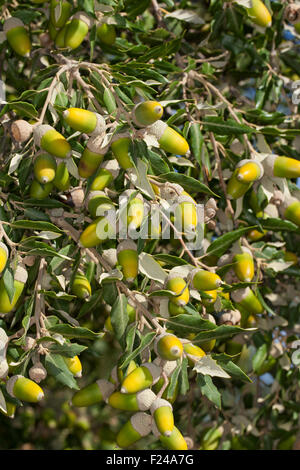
(141, 378)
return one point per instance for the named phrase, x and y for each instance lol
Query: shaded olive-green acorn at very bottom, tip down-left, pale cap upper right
(137, 427)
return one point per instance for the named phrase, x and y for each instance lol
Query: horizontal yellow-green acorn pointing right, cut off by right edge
(282, 167)
